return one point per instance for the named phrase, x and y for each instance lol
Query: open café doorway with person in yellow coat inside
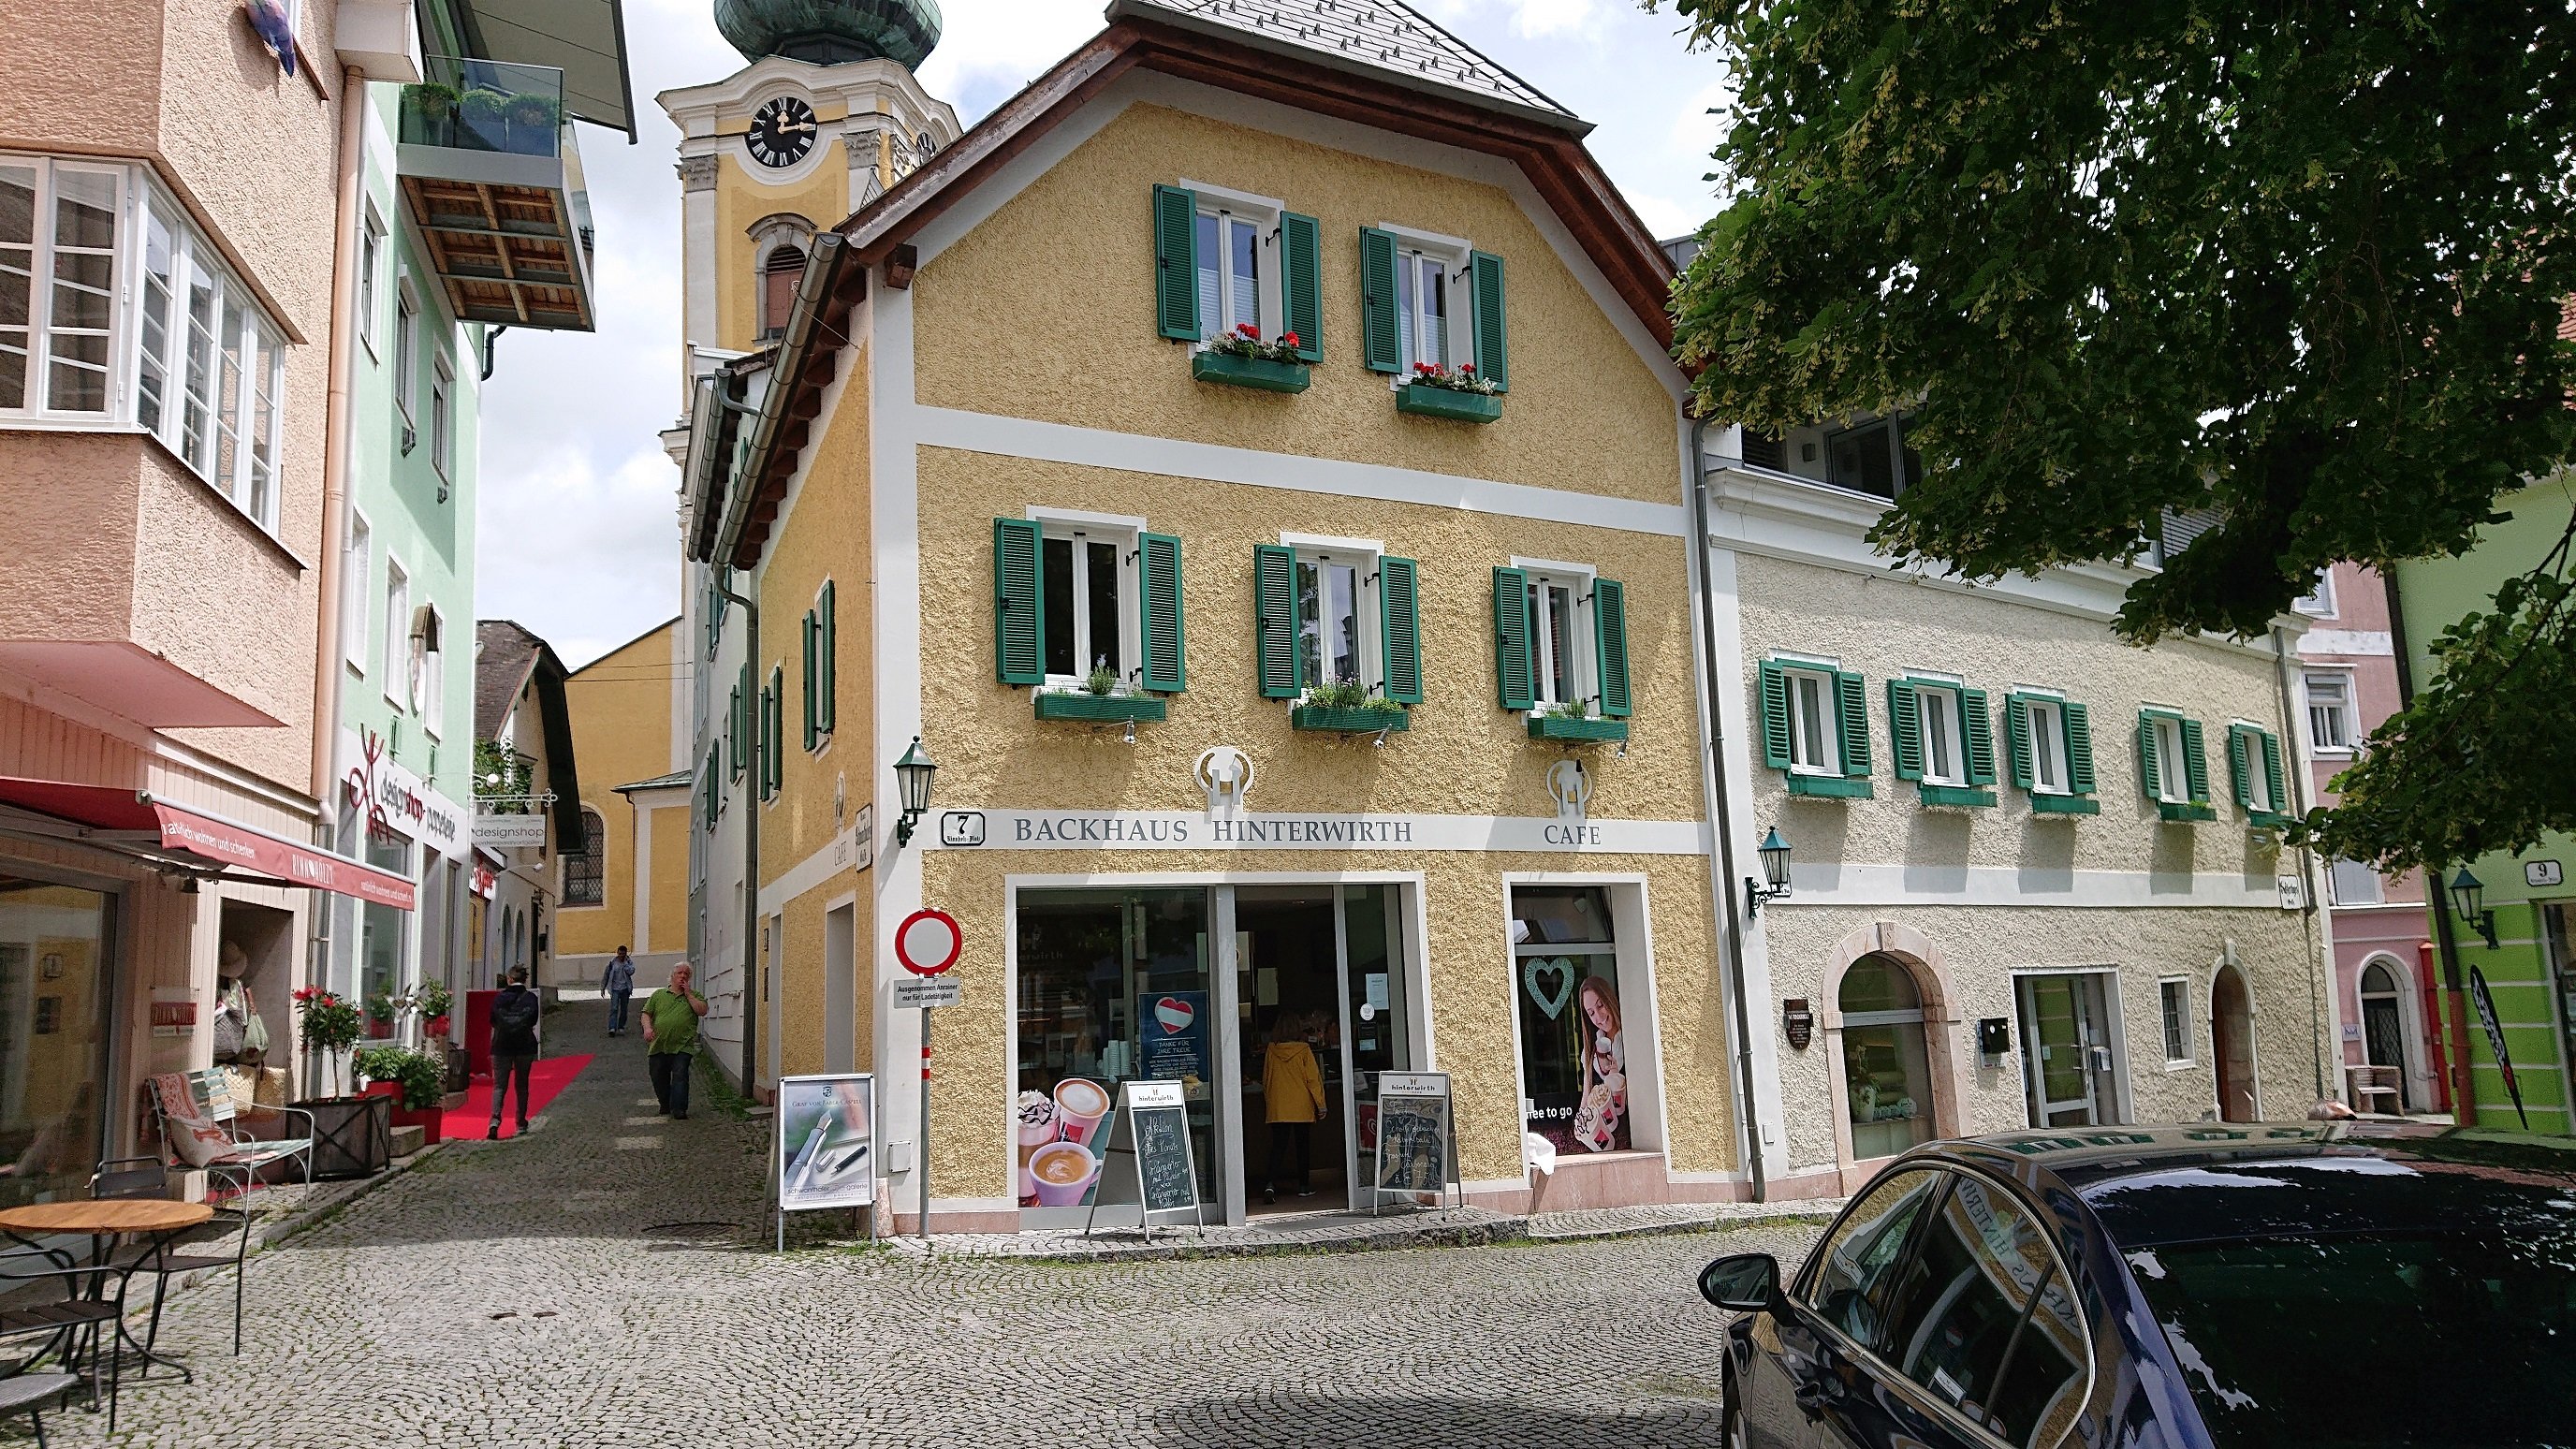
(1323, 1007)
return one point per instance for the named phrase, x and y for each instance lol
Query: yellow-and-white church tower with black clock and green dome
(820, 122)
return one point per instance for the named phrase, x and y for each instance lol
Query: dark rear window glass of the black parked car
(2307, 1342)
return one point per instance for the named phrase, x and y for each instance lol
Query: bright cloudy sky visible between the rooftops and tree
(578, 501)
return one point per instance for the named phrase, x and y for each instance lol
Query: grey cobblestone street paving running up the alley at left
(604, 1283)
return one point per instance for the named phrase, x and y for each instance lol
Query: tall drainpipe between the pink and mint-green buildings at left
(336, 468)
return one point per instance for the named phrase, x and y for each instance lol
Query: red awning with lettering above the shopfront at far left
(140, 824)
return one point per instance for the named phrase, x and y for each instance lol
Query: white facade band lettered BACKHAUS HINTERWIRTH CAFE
(1194, 831)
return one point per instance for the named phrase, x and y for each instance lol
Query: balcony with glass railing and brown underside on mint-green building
(496, 184)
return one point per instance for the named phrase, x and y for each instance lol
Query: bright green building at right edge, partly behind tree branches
(2531, 968)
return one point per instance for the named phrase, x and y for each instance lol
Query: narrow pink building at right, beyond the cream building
(2382, 968)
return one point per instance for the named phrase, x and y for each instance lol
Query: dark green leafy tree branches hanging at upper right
(2284, 262)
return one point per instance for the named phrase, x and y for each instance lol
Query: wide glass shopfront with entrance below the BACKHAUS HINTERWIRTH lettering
(1274, 1004)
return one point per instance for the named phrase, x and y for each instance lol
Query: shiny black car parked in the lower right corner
(2196, 1288)
